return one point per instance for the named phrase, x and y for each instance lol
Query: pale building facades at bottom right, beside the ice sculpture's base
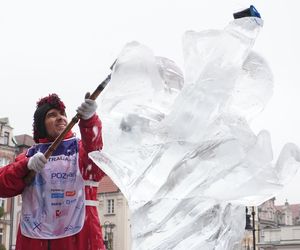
(275, 227)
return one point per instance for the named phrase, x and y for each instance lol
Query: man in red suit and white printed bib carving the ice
(59, 207)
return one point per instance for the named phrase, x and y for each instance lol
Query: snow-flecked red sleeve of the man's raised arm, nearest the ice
(91, 140)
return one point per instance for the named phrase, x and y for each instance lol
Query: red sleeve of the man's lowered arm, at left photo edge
(11, 177)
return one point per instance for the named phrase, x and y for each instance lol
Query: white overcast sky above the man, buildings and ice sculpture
(66, 47)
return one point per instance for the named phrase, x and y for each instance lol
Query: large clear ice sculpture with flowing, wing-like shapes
(184, 155)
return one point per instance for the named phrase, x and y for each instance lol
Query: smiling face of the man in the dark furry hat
(55, 123)
